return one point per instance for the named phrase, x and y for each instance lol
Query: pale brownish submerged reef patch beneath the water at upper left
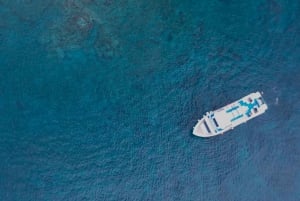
(80, 26)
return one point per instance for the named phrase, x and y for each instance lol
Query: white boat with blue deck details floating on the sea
(226, 118)
